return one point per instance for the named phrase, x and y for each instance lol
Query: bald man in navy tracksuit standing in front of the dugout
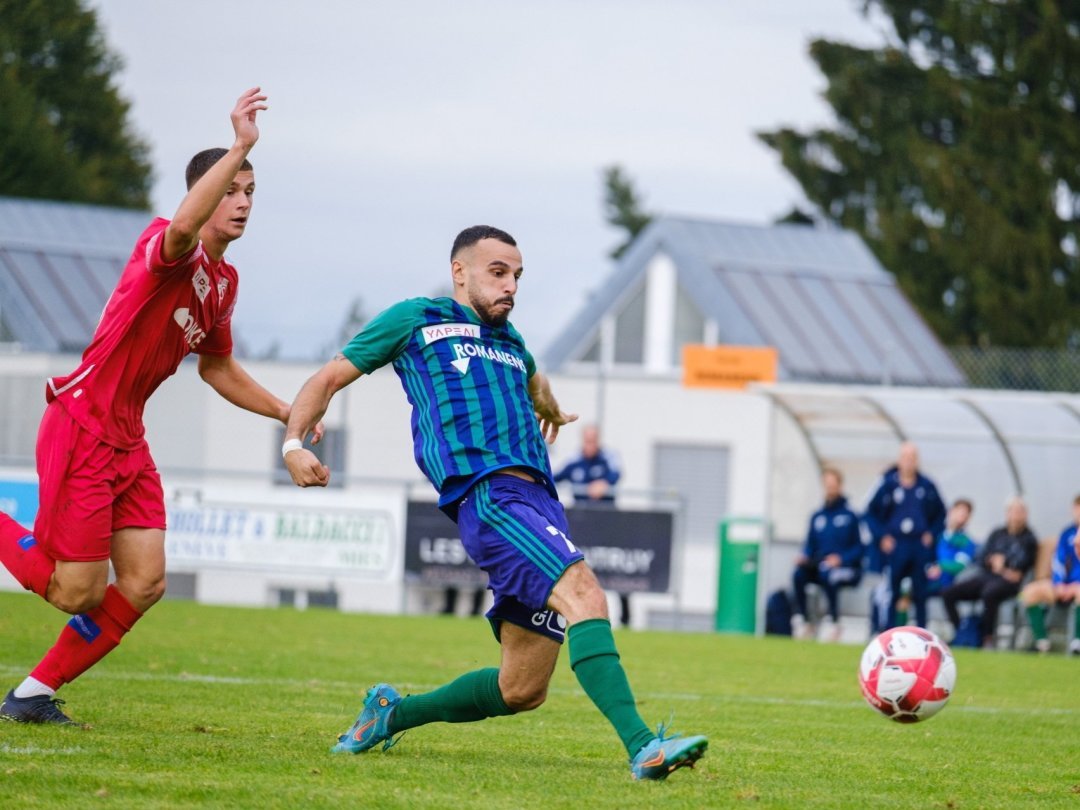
(907, 514)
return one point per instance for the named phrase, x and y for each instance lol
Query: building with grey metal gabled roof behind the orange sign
(817, 294)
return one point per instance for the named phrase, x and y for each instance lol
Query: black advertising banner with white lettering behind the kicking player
(630, 551)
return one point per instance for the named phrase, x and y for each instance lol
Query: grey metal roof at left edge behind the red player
(59, 264)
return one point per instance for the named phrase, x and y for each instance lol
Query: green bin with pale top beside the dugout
(741, 541)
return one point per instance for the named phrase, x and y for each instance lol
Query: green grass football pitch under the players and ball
(229, 708)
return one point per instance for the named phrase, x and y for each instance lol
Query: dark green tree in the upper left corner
(64, 130)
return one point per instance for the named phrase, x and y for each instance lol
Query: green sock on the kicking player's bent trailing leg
(475, 696)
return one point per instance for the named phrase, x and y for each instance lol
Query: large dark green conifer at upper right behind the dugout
(956, 155)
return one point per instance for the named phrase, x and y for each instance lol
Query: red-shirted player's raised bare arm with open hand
(201, 201)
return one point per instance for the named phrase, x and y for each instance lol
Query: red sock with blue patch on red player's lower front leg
(87, 640)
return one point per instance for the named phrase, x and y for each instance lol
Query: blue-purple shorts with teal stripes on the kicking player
(517, 533)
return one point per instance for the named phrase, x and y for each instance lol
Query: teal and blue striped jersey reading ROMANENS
(468, 385)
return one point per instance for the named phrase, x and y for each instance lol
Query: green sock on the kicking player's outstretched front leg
(596, 661)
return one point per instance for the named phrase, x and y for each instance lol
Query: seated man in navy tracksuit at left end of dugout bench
(832, 557)
